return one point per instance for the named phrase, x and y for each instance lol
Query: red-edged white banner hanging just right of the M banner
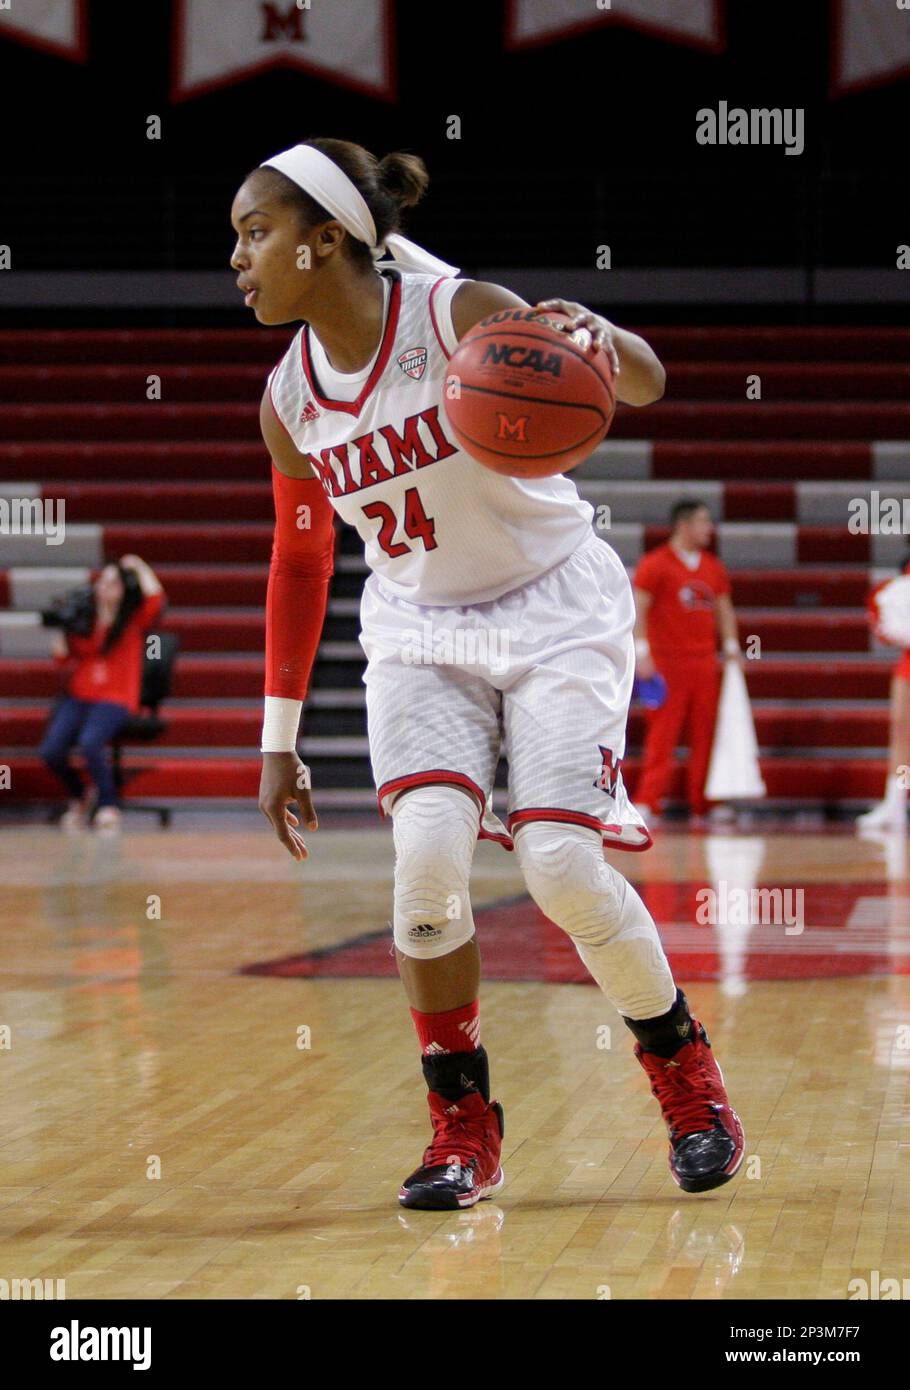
(687, 22)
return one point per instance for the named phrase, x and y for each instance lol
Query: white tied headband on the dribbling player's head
(323, 180)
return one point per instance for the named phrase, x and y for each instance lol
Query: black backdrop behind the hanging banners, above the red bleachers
(566, 147)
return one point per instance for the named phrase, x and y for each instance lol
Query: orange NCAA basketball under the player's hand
(530, 398)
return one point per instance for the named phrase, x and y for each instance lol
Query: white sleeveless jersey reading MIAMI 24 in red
(438, 528)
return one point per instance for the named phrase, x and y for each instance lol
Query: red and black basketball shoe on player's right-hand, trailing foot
(706, 1139)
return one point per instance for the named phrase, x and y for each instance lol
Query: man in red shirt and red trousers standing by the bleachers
(681, 601)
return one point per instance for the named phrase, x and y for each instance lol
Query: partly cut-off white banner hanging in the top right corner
(872, 44)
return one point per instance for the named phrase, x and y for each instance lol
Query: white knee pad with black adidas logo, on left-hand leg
(436, 833)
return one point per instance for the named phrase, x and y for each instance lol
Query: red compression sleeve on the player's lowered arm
(302, 565)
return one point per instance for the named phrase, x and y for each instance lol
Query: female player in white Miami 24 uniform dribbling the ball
(354, 419)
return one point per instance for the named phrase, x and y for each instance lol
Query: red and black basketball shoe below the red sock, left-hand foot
(462, 1164)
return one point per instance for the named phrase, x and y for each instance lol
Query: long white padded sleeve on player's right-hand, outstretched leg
(613, 932)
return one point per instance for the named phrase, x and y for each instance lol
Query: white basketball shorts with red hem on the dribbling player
(543, 675)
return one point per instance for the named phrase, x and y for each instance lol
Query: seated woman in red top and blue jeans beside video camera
(105, 687)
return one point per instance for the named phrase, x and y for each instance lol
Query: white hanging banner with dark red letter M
(229, 41)
